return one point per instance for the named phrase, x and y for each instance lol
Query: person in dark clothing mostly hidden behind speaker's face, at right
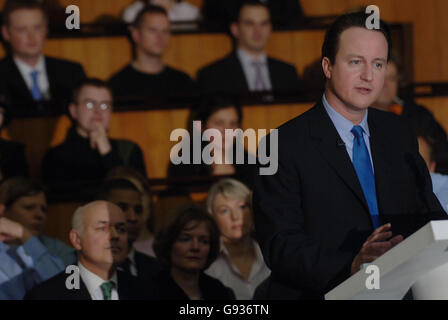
(420, 118)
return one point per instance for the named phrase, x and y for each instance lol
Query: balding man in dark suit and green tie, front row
(99, 235)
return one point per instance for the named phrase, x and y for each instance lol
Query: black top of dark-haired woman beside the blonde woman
(211, 288)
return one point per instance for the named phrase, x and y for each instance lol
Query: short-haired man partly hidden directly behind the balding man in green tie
(126, 195)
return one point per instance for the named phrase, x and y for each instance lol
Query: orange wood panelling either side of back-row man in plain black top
(103, 56)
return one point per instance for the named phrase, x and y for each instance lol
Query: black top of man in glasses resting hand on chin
(75, 162)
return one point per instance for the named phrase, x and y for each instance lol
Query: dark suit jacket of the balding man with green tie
(129, 288)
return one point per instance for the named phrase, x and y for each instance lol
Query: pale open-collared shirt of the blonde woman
(227, 272)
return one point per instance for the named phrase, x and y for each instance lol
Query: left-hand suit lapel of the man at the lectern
(333, 151)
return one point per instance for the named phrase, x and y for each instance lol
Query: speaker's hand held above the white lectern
(375, 246)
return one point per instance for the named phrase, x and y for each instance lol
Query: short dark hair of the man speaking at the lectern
(330, 46)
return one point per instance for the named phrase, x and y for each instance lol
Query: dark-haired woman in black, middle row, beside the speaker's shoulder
(221, 114)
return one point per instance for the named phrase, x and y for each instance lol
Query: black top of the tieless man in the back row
(129, 82)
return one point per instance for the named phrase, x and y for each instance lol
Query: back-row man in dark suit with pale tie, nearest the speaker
(248, 68)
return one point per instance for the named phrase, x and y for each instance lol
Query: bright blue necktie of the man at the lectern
(363, 167)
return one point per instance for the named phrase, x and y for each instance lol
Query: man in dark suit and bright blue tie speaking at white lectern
(350, 182)
